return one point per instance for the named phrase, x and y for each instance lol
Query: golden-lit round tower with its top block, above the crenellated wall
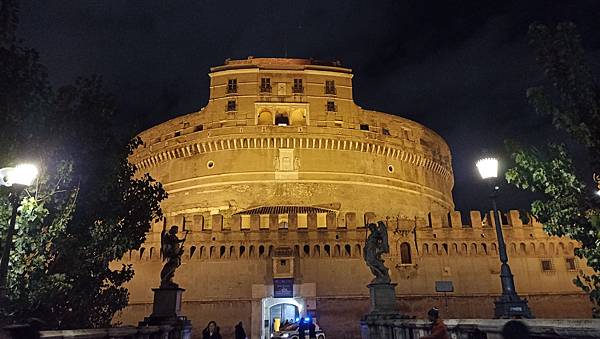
(286, 132)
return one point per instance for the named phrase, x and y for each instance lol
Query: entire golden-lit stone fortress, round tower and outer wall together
(275, 179)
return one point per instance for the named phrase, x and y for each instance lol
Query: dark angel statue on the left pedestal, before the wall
(171, 248)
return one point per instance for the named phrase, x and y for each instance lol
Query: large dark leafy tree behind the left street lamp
(88, 208)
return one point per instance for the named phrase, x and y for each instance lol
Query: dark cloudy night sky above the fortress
(459, 67)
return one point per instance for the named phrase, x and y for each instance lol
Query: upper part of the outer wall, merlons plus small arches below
(316, 233)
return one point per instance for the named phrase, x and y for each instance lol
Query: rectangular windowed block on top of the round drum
(281, 91)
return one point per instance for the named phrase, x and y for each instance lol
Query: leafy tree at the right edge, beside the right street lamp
(572, 100)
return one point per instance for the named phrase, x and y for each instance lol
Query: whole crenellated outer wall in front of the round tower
(224, 264)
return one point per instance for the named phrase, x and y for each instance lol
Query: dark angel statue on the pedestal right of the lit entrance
(377, 244)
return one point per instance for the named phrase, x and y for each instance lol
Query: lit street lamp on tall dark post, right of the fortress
(509, 305)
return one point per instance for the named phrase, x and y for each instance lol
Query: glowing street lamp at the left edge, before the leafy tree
(17, 178)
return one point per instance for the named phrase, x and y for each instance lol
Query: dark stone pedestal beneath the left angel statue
(166, 311)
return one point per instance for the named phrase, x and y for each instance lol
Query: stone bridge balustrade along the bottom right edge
(480, 328)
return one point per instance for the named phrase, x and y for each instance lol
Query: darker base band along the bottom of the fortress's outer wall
(339, 317)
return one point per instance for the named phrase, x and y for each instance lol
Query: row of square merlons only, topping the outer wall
(299, 218)
